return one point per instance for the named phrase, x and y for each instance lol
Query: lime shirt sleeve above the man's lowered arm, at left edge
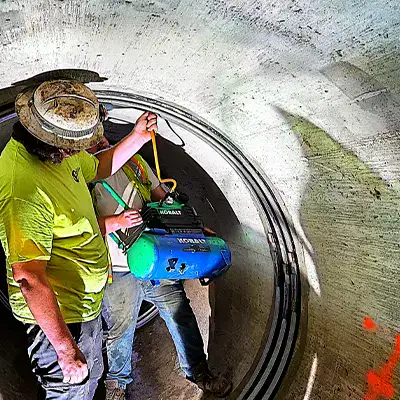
(26, 230)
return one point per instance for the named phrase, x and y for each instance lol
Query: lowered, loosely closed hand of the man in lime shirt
(73, 365)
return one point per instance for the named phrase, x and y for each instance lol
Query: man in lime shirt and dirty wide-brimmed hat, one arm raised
(57, 262)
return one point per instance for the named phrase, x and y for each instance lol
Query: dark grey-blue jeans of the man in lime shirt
(88, 336)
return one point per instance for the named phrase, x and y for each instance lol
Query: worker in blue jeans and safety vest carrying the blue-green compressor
(136, 184)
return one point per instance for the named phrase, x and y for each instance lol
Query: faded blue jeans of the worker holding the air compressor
(121, 305)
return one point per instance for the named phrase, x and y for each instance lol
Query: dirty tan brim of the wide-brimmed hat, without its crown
(30, 122)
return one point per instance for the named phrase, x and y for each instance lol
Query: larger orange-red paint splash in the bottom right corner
(380, 381)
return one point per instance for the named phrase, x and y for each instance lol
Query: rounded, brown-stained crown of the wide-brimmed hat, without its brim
(68, 105)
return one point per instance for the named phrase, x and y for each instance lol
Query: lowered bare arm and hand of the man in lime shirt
(41, 300)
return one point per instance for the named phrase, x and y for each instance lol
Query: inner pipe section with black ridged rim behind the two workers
(242, 314)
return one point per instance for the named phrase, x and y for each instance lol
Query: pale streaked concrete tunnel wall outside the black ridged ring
(310, 92)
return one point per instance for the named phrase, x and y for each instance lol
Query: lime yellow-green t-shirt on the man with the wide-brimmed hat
(46, 213)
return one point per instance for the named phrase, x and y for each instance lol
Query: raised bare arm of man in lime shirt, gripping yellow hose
(112, 159)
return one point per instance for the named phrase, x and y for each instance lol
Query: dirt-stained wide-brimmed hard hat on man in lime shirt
(62, 113)
